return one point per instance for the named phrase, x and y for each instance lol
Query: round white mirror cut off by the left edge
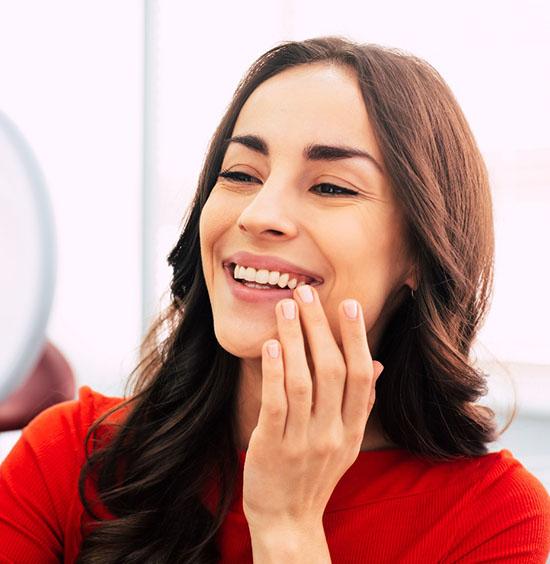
(28, 258)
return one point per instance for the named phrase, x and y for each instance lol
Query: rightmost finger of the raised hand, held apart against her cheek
(360, 370)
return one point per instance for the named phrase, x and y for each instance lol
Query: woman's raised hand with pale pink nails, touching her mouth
(296, 455)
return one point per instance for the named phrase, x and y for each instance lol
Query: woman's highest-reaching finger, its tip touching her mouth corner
(329, 372)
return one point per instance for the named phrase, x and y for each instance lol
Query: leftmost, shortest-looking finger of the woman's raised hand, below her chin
(274, 405)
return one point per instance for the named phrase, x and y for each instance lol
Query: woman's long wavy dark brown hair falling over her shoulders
(179, 427)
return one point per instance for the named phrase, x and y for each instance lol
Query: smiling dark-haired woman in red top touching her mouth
(346, 172)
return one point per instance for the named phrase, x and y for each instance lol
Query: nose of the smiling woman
(271, 211)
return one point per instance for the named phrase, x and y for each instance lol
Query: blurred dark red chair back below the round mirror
(52, 381)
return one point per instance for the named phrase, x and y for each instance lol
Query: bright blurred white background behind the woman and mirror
(118, 101)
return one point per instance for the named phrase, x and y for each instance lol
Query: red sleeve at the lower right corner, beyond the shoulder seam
(510, 521)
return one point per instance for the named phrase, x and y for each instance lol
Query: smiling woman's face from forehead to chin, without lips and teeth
(280, 205)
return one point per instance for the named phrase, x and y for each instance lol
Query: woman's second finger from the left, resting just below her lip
(297, 377)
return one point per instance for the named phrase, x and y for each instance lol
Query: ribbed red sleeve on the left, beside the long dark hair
(38, 481)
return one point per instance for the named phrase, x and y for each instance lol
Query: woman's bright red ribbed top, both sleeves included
(390, 506)
